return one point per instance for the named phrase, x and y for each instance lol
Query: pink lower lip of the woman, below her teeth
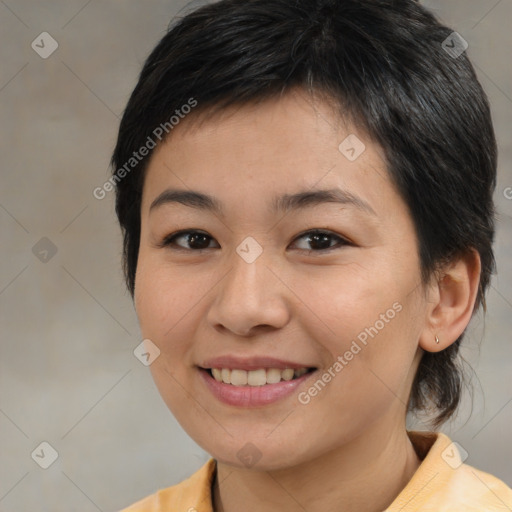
(251, 396)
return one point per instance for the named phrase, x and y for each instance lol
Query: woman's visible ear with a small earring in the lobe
(451, 300)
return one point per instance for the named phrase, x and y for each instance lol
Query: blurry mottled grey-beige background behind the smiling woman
(68, 327)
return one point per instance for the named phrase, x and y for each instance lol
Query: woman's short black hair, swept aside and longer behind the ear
(389, 67)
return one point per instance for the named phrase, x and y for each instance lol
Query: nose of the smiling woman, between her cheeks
(250, 298)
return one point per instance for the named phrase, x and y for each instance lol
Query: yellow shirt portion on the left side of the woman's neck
(190, 495)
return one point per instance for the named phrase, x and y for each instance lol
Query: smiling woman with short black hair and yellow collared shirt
(305, 191)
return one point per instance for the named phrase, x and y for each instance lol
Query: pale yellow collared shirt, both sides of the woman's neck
(442, 483)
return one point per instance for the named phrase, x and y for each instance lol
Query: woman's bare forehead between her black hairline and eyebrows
(272, 149)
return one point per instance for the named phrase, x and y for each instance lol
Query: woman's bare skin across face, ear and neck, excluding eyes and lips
(348, 447)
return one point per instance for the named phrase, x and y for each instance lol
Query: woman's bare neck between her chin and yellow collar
(366, 474)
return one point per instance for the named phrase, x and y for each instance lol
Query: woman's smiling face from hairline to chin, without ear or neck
(252, 291)
